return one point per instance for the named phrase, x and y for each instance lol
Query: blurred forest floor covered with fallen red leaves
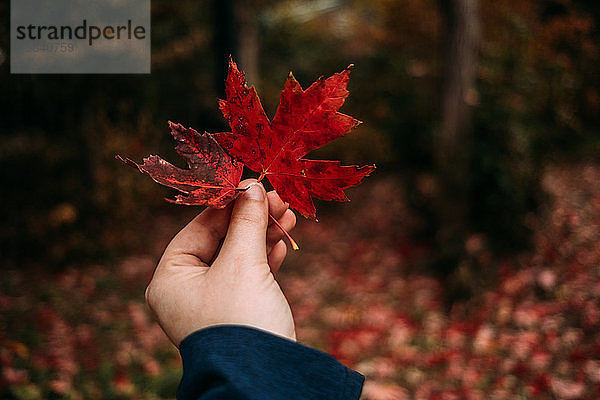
(357, 290)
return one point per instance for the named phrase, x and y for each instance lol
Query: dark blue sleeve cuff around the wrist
(237, 362)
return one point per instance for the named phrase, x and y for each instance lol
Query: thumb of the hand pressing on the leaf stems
(246, 235)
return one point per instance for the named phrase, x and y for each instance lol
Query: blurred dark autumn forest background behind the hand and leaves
(465, 267)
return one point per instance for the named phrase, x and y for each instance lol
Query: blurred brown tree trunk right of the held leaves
(453, 145)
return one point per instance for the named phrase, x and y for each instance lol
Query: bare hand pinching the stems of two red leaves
(190, 291)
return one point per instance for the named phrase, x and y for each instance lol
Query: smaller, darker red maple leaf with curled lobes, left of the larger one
(212, 177)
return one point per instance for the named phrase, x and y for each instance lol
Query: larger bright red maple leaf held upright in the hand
(305, 120)
